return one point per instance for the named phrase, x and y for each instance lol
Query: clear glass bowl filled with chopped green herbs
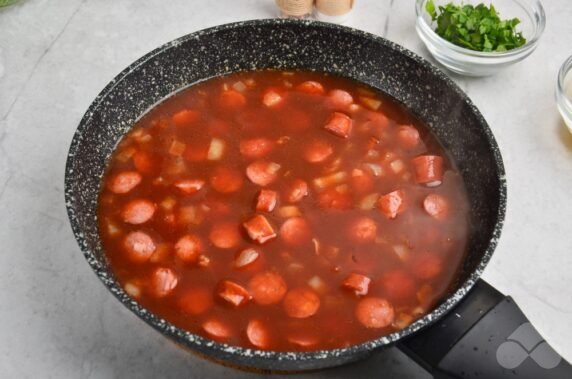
(479, 38)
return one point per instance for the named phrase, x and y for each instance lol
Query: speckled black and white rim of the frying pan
(204, 344)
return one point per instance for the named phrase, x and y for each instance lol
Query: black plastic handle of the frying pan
(485, 336)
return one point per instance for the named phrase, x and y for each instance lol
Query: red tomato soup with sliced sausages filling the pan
(286, 211)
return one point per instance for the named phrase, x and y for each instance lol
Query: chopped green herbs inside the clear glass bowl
(475, 27)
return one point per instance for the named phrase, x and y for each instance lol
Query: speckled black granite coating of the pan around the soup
(282, 44)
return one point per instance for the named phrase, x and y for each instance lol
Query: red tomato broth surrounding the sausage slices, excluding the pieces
(414, 247)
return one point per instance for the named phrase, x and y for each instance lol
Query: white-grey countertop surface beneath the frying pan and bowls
(57, 319)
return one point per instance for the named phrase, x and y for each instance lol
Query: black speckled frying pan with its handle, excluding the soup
(474, 331)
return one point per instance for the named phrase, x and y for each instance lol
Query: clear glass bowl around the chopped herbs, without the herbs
(477, 63)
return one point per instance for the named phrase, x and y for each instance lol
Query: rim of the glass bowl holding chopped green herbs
(531, 43)
